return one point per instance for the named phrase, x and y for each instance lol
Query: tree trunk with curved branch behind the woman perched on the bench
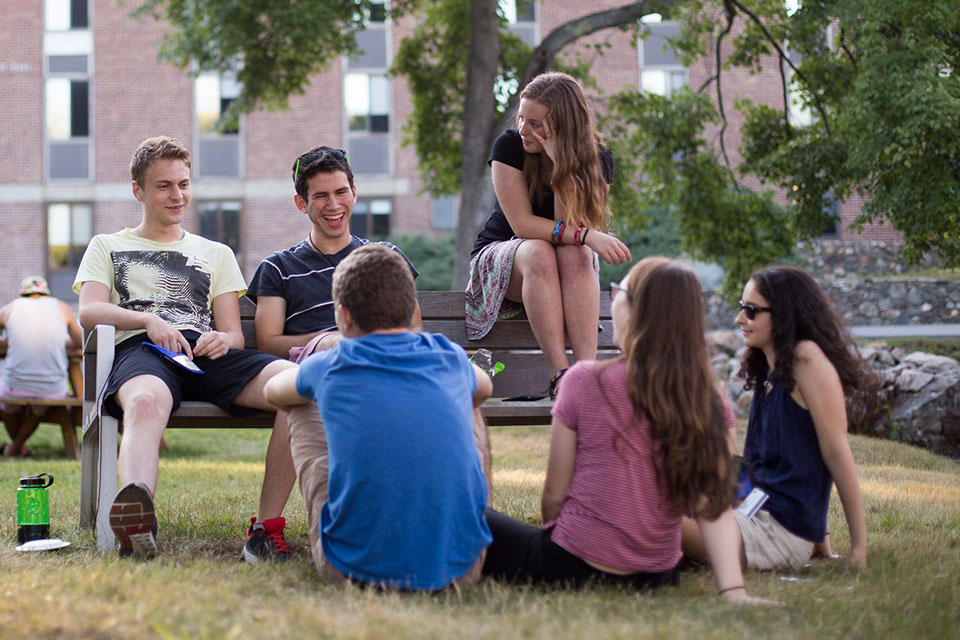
(476, 192)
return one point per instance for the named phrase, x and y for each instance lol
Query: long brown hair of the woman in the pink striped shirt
(670, 381)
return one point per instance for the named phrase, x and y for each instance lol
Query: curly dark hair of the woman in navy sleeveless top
(801, 311)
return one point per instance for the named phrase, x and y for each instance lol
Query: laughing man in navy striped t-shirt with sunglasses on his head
(291, 288)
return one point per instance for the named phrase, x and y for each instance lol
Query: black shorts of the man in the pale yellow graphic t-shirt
(222, 380)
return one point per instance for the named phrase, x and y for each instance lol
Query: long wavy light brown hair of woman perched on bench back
(578, 153)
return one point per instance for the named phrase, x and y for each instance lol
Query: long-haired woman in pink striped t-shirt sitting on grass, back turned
(637, 443)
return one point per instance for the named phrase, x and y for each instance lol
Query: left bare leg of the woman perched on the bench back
(535, 281)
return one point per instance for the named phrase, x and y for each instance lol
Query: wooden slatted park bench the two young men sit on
(510, 341)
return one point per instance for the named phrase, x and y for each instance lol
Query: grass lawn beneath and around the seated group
(199, 588)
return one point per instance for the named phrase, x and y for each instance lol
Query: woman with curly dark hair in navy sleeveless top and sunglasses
(799, 362)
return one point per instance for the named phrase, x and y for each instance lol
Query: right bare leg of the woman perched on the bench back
(580, 288)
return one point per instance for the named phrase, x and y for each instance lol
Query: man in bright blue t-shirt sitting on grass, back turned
(404, 507)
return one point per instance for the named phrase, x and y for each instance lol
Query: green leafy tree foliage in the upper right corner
(881, 80)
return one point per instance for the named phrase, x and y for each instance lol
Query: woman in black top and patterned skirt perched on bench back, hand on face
(537, 251)
